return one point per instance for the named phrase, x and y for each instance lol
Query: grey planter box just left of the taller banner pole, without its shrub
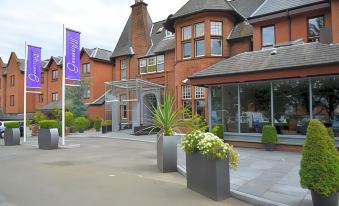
(48, 139)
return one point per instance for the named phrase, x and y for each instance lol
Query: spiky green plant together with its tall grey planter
(166, 119)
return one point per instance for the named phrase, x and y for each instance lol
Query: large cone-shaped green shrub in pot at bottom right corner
(319, 167)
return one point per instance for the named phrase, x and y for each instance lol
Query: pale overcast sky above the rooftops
(39, 22)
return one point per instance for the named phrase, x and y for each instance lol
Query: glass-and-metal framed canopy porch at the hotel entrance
(130, 102)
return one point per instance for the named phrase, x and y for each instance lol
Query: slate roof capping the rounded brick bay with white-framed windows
(195, 6)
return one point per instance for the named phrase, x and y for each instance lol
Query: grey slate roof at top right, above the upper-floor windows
(274, 6)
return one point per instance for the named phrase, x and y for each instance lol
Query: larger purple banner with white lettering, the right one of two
(72, 64)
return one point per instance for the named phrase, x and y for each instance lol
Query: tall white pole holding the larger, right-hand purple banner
(63, 85)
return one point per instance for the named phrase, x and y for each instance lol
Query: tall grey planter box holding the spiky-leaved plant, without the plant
(167, 153)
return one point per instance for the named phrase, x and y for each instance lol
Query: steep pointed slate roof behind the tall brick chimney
(124, 45)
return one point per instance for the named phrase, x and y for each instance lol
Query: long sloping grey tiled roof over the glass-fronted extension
(289, 57)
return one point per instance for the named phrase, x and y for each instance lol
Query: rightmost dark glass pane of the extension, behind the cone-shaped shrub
(325, 104)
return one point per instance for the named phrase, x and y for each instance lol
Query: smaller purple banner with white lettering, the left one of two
(33, 73)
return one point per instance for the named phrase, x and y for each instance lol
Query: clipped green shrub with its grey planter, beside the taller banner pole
(48, 137)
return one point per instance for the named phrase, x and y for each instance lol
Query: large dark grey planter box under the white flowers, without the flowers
(210, 178)
